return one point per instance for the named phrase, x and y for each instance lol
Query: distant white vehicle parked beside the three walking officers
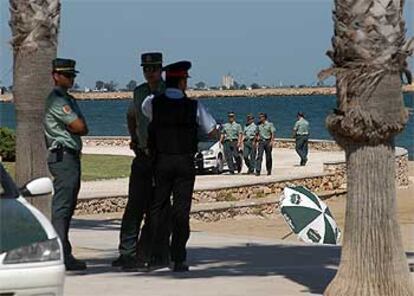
(210, 157)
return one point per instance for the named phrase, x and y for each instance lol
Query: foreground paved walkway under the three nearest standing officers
(220, 265)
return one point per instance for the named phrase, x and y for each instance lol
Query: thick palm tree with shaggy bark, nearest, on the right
(369, 56)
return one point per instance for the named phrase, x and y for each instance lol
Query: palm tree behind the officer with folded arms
(34, 25)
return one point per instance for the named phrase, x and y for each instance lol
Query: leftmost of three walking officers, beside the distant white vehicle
(231, 138)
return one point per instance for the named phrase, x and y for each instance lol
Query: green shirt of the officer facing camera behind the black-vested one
(140, 93)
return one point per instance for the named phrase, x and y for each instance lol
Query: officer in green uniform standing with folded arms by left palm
(64, 125)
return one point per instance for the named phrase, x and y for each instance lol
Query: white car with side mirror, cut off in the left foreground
(31, 255)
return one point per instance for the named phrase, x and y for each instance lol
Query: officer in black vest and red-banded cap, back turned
(175, 120)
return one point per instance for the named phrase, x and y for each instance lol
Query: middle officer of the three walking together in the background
(249, 144)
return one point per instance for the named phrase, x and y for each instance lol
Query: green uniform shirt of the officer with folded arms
(61, 110)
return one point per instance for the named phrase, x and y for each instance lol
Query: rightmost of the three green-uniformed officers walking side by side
(265, 136)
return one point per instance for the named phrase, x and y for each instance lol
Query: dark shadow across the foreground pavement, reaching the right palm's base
(312, 267)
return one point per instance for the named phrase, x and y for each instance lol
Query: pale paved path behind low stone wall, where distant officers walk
(285, 166)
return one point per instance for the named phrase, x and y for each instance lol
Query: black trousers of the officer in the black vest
(174, 175)
